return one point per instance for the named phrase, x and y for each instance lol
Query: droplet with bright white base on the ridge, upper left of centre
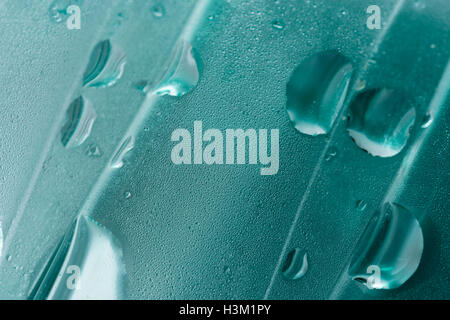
(181, 74)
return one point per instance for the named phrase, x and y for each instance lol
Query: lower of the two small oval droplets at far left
(80, 119)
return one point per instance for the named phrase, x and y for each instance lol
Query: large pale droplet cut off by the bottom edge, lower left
(87, 264)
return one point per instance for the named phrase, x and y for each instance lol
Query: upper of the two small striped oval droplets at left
(106, 65)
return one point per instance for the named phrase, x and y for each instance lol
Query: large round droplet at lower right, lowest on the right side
(392, 244)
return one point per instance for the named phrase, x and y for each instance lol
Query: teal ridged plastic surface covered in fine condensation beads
(219, 231)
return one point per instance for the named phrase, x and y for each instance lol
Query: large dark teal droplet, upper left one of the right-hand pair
(316, 91)
